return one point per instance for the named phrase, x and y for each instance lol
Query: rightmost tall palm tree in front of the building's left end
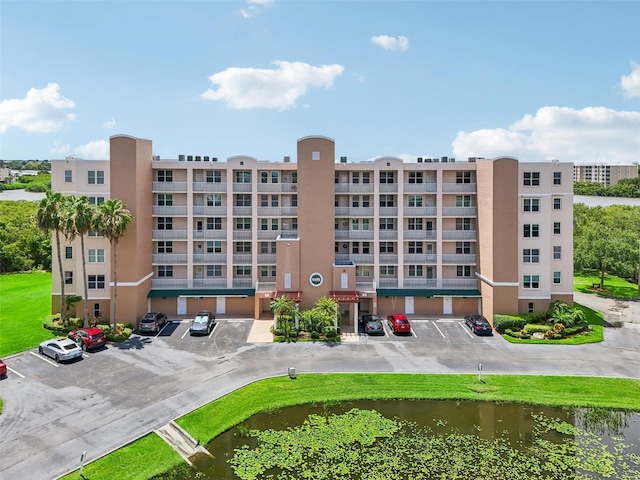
(112, 220)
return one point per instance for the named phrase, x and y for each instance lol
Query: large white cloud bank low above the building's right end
(593, 134)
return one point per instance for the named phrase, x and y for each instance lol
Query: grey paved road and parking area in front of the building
(101, 402)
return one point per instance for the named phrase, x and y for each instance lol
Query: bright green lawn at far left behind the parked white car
(26, 300)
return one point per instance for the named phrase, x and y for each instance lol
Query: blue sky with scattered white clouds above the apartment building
(534, 80)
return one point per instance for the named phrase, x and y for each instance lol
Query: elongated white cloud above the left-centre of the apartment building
(279, 88)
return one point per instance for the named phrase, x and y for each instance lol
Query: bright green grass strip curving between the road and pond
(141, 462)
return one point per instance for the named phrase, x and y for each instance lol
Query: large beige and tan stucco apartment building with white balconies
(429, 237)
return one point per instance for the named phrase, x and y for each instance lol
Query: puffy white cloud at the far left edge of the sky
(42, 111)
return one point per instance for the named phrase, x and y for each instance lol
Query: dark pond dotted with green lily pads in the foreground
(477, 429)
